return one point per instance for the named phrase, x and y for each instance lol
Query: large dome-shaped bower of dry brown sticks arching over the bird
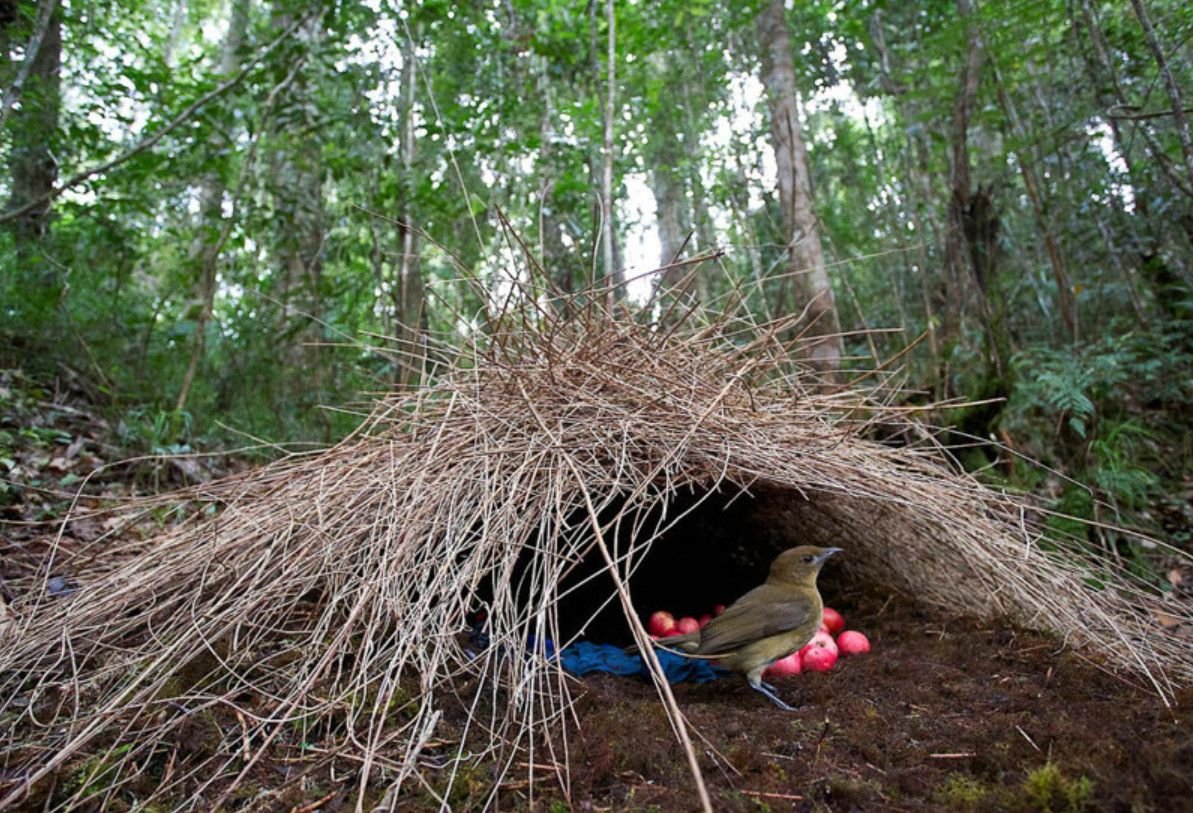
(331, 587)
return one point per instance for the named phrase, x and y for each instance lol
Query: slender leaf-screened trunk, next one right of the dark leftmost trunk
(203, 256)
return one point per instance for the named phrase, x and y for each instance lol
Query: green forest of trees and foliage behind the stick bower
(228, 220)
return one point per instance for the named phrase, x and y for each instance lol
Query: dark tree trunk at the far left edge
(32, 165)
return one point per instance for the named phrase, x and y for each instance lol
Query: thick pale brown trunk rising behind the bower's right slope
(801, 231)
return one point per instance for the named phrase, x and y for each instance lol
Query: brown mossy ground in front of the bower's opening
(941, 716)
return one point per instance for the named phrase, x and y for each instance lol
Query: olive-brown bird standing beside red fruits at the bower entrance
(765, 625)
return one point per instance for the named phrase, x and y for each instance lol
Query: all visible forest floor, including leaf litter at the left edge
(943, 715)
